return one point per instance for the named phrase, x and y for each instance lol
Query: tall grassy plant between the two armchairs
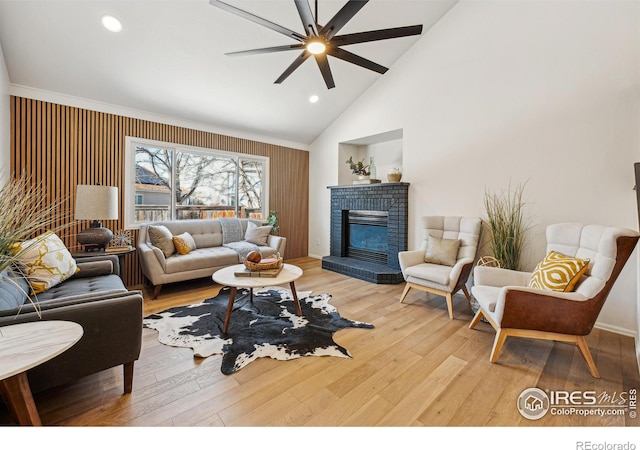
(507, 224)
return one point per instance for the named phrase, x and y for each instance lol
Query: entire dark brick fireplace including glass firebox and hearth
(368, 229)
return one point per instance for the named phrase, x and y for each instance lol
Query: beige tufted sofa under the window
(214, 249)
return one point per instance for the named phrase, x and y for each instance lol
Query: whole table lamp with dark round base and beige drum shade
(95, 203)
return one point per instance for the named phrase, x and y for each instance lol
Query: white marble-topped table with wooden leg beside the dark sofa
(24, 346)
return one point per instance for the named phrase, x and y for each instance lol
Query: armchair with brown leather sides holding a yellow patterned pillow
(562, 298)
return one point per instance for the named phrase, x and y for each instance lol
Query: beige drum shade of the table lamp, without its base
(95, 202)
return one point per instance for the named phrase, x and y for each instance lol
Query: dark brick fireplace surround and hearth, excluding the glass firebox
(389, 197)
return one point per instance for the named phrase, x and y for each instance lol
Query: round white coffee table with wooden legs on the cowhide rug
(227, 277)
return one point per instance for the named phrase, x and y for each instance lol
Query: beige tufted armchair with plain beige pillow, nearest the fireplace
(444, 261)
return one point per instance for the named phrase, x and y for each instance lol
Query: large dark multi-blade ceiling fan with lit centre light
(322, 40)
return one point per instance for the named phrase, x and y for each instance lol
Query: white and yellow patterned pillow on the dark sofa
(45, 261)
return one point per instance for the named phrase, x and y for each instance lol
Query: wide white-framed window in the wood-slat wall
(169, 182)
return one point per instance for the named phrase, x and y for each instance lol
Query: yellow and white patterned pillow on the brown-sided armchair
(558, 272)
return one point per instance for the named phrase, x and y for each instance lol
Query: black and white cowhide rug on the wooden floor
(266, 327)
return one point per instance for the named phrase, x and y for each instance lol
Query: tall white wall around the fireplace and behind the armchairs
(502, 92)
